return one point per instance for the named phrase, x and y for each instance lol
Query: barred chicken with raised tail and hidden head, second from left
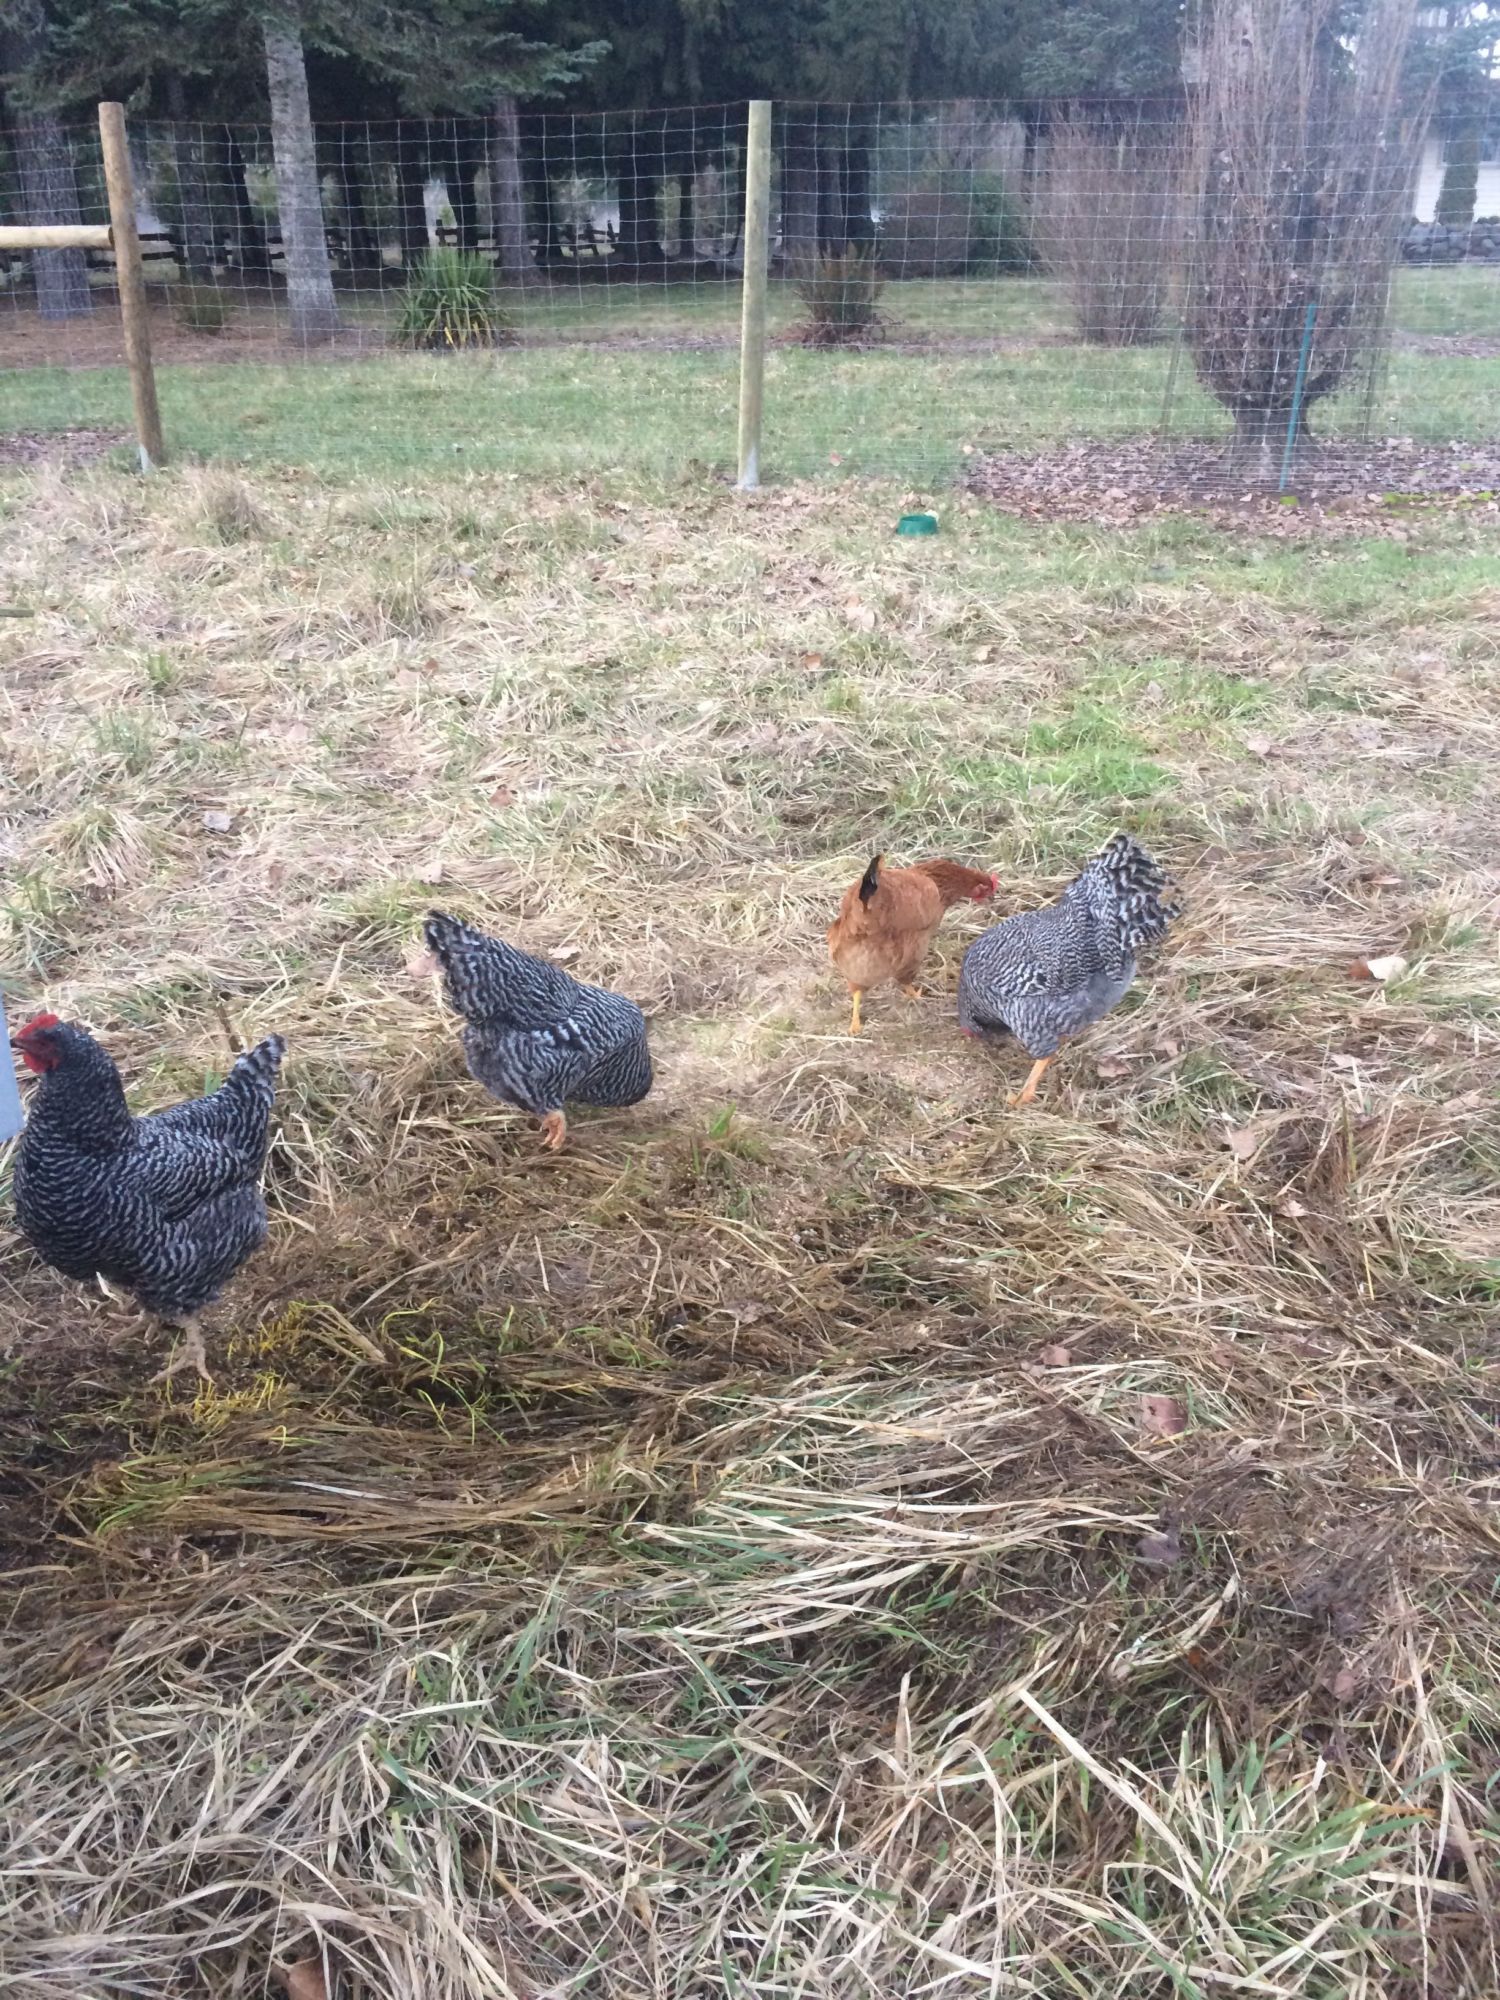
(533, 1037)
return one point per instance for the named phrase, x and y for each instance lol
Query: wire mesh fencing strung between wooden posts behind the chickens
(943, 279)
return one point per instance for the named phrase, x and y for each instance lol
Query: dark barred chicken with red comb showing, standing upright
(167, 1207)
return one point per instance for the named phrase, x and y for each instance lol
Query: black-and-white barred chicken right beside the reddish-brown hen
(1049, 973)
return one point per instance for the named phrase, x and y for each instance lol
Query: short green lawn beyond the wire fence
(587, 407)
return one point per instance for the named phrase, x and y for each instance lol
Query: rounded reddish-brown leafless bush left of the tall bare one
(1109, 227)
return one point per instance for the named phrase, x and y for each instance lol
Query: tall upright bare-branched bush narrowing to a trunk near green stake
(1303, 163)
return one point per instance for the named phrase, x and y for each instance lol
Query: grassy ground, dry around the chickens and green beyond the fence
(823, 1535)
